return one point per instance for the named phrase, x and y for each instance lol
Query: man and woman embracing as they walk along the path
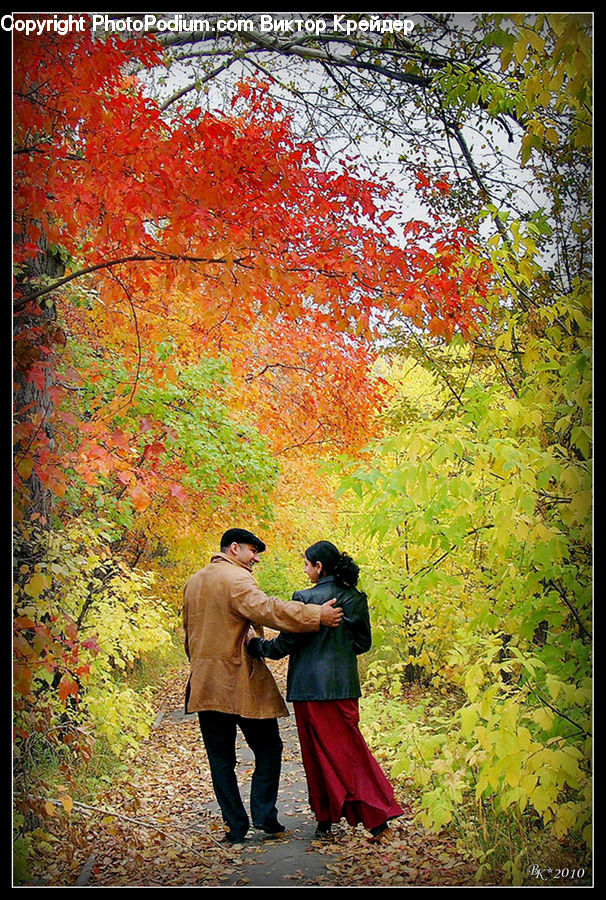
(323, 629)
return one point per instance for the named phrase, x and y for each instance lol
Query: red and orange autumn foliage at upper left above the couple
(220, 233)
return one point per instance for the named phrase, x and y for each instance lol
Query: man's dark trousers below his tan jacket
(263, 737)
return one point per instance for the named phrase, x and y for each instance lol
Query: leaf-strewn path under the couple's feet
(162, 826)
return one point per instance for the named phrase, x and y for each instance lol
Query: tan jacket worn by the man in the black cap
(219, 604)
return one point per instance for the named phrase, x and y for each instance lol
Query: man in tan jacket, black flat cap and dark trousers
(230, 689)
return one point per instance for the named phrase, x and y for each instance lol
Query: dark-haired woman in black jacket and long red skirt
(323, 684)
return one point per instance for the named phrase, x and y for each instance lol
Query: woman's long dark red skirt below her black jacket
(343, 777)
